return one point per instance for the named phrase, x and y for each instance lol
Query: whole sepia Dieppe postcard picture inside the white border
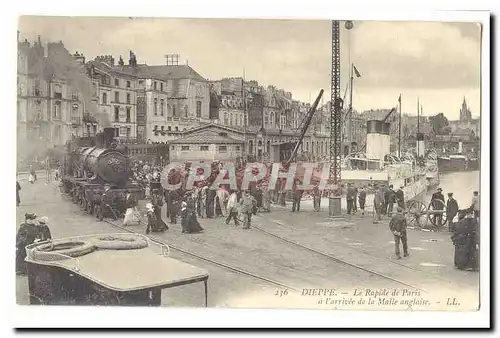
(251, 163)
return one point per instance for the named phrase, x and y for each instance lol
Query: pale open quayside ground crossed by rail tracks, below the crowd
(354, 238)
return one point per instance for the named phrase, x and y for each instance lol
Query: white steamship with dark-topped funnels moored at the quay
(416, 174)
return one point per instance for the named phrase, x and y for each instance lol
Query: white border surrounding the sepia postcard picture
(26, 316)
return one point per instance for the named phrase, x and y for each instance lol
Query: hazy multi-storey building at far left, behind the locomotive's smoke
(52, 90)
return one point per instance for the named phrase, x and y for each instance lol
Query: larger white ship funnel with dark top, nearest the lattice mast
(378, 140)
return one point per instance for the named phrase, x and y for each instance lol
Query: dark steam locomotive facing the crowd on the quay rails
(89, 164)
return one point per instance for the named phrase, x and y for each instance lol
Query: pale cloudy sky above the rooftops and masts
(435, 63)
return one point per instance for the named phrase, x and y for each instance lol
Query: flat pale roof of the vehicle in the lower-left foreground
(145, 268)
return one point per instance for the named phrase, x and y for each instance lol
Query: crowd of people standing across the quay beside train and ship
(239, 206)
